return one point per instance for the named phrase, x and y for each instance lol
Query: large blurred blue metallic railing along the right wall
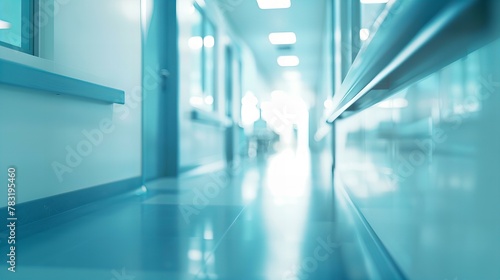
(414, 39)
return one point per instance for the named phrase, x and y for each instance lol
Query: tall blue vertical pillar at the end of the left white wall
(160, 89)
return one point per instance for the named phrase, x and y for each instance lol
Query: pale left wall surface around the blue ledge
(94, 40)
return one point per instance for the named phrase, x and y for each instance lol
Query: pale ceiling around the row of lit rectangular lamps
(305, 17)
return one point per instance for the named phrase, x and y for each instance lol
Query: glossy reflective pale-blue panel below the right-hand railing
(423, 168)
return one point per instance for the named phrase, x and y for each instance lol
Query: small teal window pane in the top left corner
(16, 24)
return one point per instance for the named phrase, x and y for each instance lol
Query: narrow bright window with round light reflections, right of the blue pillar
(202, 45)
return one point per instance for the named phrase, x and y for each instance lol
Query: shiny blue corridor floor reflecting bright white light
(274, 218)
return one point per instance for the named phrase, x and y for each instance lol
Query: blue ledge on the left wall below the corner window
(20, 75)
